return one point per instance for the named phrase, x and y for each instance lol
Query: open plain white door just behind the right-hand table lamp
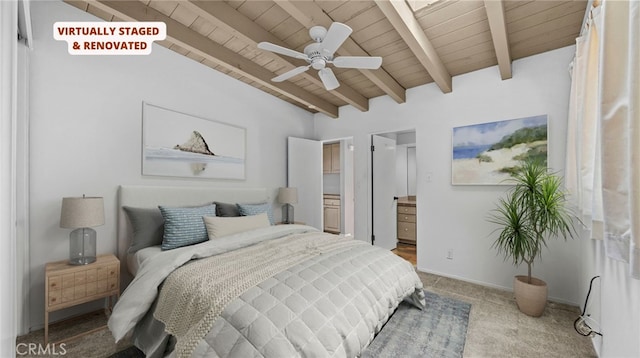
(304, 171)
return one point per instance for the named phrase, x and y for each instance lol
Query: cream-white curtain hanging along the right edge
(603, 137)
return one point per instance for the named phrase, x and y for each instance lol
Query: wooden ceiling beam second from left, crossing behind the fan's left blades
(231, 20)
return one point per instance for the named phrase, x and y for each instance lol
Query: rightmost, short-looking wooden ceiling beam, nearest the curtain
(498, 27)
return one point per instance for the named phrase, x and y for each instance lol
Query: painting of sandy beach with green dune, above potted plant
(487, 153)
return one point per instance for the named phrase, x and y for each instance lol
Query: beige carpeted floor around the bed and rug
(496, 328)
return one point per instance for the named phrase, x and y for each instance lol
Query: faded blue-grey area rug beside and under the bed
(439, 331)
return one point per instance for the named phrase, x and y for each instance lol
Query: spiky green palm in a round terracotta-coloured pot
(534, 210)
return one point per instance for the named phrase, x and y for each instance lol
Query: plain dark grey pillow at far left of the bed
(148, 227)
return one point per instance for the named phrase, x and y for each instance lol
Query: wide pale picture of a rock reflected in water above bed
(181, 145)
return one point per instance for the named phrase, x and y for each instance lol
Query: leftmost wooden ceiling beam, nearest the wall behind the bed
(201, 45)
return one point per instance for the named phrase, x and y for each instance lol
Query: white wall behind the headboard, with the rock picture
(86, 130)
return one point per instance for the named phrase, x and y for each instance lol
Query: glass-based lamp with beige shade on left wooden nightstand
(81, 214)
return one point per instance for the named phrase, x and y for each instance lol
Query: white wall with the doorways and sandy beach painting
(453, 217)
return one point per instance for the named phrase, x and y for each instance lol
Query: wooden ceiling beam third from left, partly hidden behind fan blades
(310, 14)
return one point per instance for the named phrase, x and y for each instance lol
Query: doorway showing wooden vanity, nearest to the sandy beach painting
(393, 192)
